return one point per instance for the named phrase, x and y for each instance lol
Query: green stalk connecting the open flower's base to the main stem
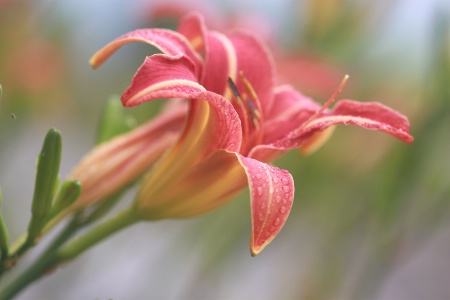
(102, 231)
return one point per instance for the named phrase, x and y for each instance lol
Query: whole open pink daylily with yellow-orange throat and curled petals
(237, 123)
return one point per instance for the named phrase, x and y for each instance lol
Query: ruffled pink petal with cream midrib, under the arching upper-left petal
(158, 77)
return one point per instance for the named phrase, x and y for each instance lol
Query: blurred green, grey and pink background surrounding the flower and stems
(371, 218)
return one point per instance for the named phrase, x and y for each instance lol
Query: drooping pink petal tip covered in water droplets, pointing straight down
(272, 195)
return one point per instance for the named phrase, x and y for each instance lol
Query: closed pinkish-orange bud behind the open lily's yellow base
(114, 164)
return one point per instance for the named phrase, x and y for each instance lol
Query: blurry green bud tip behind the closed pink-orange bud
(113, 121)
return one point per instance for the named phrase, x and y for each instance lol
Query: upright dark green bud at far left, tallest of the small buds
(46, 180)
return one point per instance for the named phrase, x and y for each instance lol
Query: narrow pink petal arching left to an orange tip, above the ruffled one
(170, 42)
